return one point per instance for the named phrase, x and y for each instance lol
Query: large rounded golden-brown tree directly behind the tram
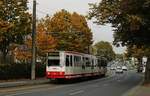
(70, 30)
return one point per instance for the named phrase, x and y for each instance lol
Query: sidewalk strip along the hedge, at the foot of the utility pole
(23, 82)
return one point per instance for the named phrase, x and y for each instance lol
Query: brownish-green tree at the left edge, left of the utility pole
(15, 22)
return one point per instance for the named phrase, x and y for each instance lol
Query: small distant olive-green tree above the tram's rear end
(104, 49)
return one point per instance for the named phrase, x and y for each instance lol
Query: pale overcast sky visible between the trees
(100, 33)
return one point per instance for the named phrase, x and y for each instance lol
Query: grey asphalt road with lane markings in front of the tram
(114, 85)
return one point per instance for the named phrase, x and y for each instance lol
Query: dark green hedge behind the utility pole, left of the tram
(17, 71)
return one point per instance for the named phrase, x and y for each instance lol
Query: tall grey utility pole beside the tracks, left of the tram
(33, 41)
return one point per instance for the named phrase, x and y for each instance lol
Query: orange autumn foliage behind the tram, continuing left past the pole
(62, 31)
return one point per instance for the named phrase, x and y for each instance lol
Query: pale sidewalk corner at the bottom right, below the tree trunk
(140, 90)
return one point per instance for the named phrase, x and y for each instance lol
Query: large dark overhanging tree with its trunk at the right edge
(130, 20)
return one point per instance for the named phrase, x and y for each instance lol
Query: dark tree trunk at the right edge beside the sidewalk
(147, 71)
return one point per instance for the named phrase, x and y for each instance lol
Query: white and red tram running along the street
(68, 65)
